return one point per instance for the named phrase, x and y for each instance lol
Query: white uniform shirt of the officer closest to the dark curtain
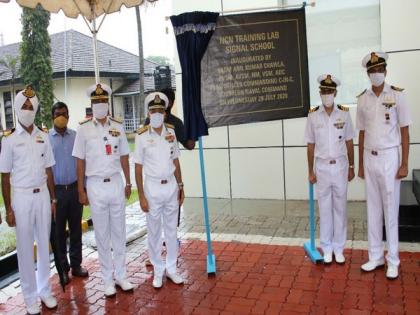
(157, 152)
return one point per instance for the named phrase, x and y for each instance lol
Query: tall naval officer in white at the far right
(383, 119)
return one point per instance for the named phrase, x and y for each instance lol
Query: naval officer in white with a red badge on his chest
(101, 149)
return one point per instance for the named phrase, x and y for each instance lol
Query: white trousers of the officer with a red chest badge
(107, 204)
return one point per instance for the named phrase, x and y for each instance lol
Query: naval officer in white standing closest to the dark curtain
(156, 161)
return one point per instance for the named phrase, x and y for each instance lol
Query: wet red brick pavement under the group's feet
(251, 279)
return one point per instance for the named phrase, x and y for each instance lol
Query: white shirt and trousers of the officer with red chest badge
(105, 190)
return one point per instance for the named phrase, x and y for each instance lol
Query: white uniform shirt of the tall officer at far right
(382, 117)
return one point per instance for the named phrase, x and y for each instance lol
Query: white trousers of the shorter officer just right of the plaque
(331, 189)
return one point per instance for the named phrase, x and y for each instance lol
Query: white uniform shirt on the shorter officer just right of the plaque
(329, 133)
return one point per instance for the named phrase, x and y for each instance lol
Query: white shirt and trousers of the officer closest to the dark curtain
(156, 154)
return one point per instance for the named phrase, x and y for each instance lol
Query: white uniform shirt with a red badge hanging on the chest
(92, 140)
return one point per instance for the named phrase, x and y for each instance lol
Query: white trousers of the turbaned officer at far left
(33, 222)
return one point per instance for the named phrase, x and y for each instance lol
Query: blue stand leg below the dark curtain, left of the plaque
(211, 260)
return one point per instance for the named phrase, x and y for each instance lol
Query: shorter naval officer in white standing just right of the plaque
(329, 134)
